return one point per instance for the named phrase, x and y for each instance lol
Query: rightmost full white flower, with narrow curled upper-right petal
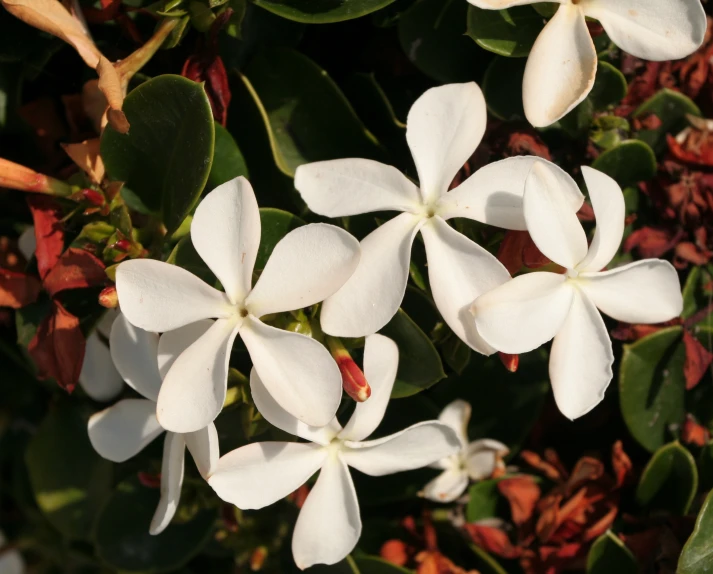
(533, 308)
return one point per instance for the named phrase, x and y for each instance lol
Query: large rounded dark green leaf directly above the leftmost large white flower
(166, 157)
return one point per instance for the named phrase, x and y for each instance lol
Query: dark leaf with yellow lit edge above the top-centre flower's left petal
(307, 116)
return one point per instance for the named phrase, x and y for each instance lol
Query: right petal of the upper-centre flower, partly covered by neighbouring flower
(493, 194)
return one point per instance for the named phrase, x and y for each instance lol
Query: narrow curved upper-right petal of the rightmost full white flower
(610, 211)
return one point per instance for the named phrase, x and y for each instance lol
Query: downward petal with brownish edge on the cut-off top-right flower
(561, 68)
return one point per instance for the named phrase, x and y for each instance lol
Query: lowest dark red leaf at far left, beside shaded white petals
(58, 347)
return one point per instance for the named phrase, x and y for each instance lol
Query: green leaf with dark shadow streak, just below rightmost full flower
(652, 387)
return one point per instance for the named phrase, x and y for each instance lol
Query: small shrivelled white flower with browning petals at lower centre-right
(475, 461)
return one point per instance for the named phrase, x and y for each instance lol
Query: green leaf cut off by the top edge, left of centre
(322, 11)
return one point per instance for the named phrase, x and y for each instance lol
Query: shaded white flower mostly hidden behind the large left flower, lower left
(124, 429)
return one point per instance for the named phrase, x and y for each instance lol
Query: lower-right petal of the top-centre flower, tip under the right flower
(459, 271)
